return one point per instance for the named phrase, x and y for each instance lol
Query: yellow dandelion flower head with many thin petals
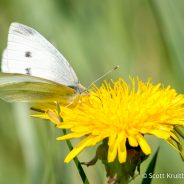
(123, 113)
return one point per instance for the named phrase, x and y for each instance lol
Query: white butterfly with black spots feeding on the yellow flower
(33, 70)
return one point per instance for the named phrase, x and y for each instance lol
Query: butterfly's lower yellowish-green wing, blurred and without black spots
(25, 88)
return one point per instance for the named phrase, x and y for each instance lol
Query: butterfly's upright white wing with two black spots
(30, 53)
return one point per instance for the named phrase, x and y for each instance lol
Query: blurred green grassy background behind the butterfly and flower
(144, 37)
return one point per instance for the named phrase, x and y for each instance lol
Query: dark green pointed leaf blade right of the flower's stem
(150, 169)
